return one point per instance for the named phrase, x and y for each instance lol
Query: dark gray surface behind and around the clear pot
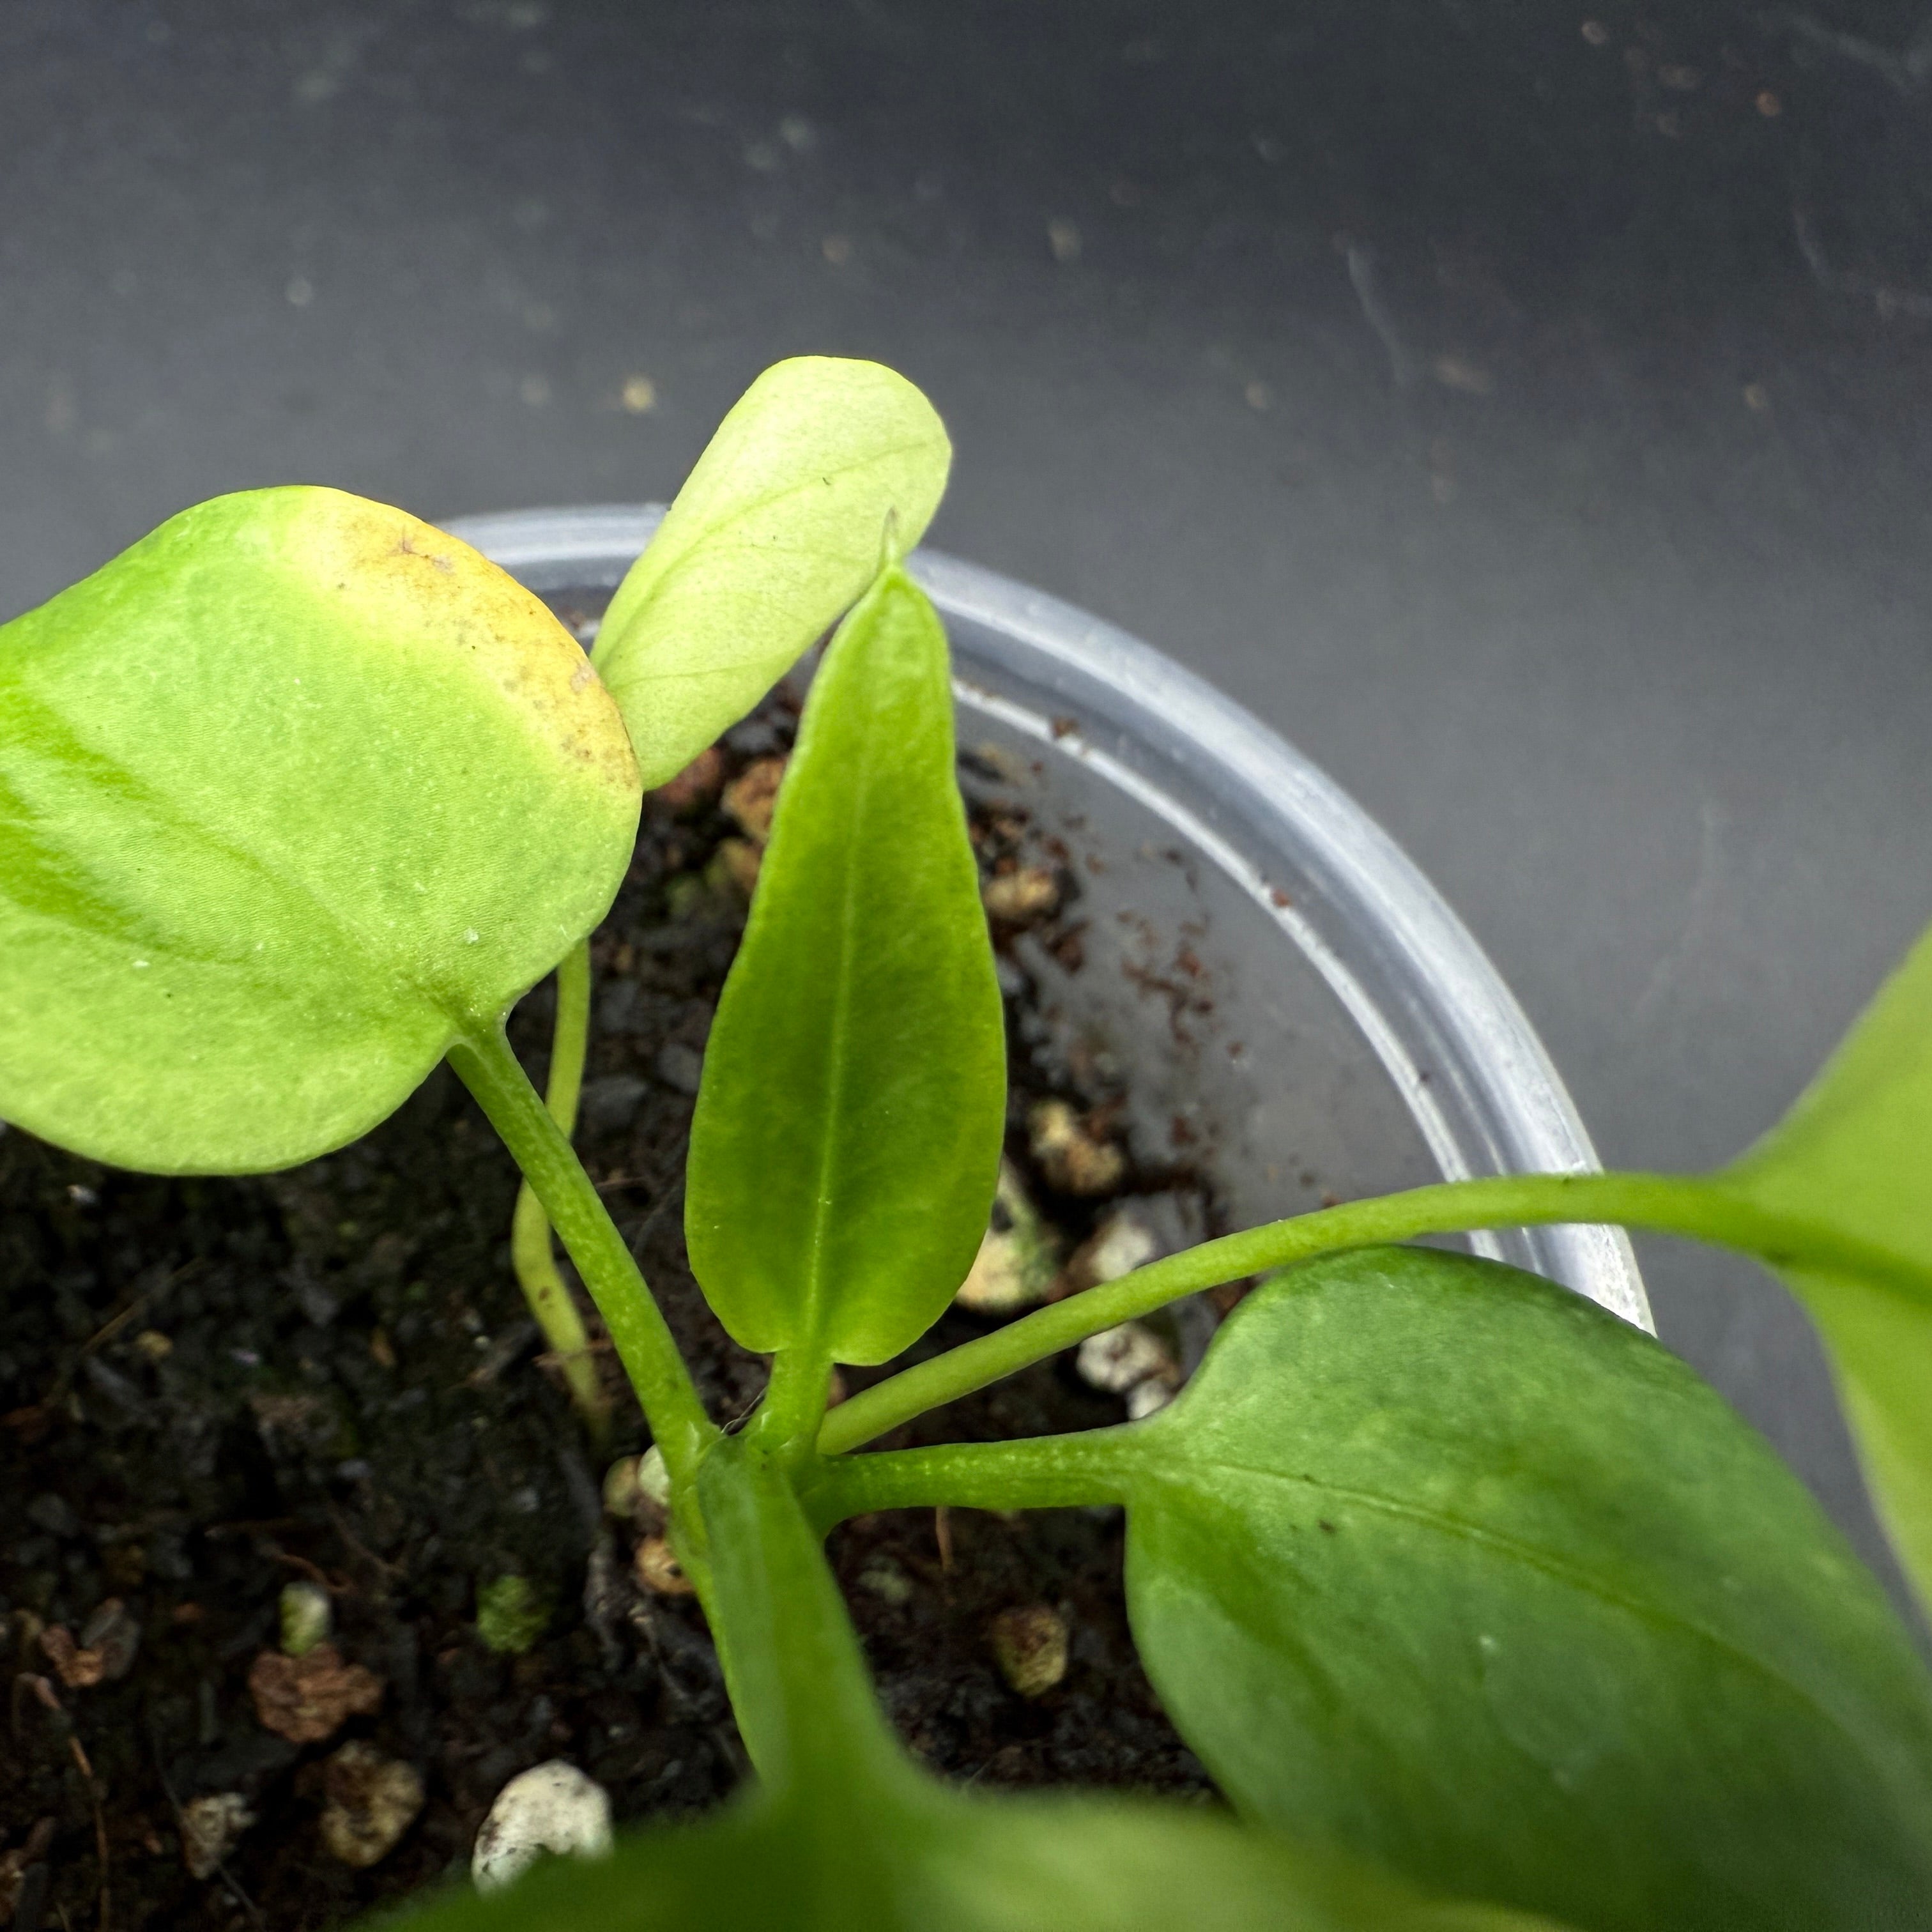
(1521, 407)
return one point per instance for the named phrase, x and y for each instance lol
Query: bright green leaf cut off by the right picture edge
(1854, 1160)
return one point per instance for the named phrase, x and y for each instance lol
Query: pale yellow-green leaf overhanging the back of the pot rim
(774, 536)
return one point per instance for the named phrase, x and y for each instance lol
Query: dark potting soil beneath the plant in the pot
(215, 1388)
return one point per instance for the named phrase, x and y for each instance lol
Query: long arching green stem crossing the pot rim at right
(1668, 1205)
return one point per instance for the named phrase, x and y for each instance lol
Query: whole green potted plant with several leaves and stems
(1479, 1606)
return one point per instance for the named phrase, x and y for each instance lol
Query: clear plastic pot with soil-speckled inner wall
(1284, 1000)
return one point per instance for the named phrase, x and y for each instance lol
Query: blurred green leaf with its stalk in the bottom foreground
(845, 1833)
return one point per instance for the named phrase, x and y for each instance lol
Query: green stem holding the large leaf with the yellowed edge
(679, 1425)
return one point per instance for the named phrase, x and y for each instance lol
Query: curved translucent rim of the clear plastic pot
(1433, 1008)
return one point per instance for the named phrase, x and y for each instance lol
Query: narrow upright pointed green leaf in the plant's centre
(849, 1122)
